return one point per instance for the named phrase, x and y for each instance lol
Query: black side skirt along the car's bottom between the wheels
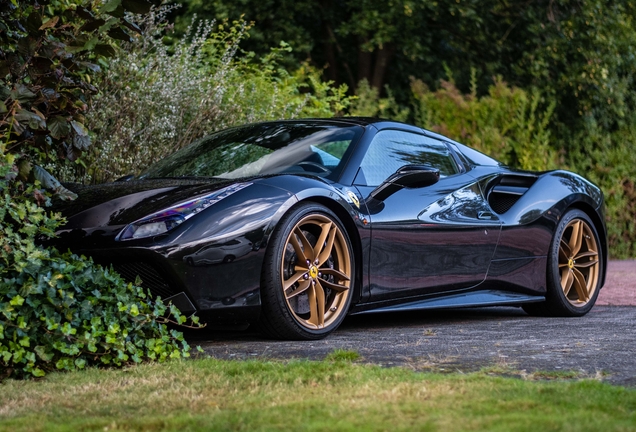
(470, 299)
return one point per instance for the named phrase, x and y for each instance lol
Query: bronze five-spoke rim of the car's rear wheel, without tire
(578, 262)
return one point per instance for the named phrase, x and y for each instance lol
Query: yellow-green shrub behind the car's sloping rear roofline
(507, 124)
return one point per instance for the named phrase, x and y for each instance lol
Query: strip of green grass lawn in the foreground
(333, 394)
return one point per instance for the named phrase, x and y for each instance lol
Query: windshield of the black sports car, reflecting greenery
(319, 148)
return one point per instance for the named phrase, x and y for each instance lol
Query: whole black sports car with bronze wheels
(292, 225)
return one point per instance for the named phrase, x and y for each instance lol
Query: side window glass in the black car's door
(393, 149)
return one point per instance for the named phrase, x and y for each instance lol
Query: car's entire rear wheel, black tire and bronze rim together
(575, 267)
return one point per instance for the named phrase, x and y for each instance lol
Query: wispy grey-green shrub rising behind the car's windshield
(155, 97)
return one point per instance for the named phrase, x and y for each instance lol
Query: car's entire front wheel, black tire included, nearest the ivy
(308, 275)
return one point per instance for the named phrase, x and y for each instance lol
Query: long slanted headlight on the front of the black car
(165, 220)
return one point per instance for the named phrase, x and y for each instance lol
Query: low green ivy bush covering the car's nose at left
(60, 311)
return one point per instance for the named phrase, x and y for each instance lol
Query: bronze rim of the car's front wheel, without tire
(316, 272)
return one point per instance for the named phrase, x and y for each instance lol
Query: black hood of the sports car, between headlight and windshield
(120, 203)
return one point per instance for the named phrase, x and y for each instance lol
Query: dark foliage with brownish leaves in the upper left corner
(48, 53)
